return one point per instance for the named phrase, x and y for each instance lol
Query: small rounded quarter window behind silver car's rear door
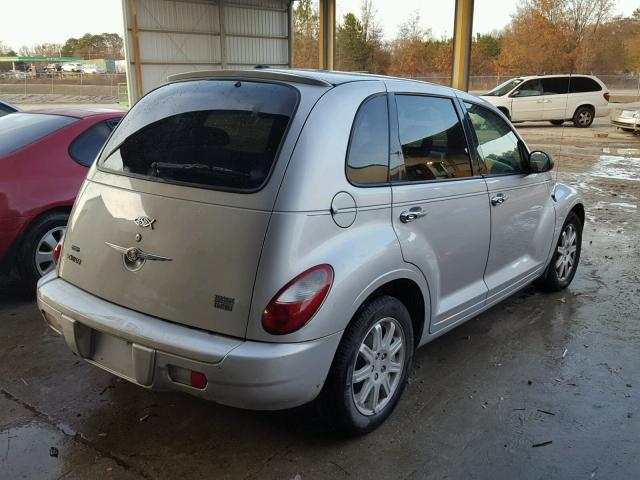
(368, 157)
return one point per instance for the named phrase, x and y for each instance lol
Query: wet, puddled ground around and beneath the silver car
(541, 386)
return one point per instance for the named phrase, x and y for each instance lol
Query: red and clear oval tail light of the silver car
(297, 301)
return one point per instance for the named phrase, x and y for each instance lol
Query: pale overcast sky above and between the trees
(28, 22)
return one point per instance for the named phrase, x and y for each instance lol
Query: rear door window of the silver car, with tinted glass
(433, 142)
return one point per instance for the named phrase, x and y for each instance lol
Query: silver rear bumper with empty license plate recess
(144, 350)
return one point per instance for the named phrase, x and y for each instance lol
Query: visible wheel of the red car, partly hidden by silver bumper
(37, 246)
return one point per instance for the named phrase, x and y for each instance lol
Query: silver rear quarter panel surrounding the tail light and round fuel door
(302, 232)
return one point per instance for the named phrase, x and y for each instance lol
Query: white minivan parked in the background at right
(553, 98)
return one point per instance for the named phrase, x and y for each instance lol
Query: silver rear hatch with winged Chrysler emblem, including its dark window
(172, 217)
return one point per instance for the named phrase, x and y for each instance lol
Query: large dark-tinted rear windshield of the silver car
(222, 134)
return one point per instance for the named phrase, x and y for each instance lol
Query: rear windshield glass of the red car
(20, 129)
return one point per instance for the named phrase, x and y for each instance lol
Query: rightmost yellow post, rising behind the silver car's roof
(462, 36)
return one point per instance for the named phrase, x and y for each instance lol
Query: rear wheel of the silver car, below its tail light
(370, 368)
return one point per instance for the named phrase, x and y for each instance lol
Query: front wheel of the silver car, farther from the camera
(564, 262)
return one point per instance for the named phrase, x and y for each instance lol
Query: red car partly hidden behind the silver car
(44, 157)
